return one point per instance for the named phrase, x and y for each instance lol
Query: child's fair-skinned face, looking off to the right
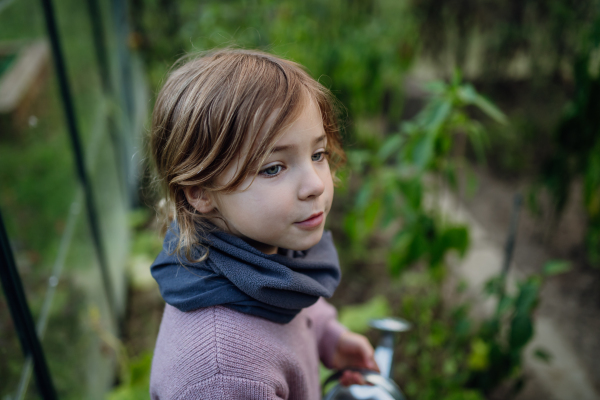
(287, 203)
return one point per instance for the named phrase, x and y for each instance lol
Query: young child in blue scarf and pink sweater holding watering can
(246, 145)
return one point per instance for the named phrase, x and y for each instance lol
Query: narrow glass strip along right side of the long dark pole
(92, 110)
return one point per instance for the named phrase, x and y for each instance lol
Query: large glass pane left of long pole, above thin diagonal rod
(36, 166)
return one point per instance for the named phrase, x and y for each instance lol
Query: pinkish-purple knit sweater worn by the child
(217, 353)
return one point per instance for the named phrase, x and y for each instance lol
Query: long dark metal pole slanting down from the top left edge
(91, 210)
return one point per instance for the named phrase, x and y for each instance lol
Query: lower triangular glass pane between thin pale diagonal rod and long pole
(80, 336)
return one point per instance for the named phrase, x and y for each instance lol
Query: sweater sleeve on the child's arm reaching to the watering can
(327, 329)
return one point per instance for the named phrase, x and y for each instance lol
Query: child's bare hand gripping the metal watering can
(353, 350)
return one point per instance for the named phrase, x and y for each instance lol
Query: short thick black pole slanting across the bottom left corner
(21, 315)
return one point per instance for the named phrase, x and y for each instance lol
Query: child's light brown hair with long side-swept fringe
(207, 109)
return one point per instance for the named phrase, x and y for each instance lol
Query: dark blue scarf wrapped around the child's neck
(238, 276)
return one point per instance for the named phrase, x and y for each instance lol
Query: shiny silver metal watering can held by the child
(380, 386)
